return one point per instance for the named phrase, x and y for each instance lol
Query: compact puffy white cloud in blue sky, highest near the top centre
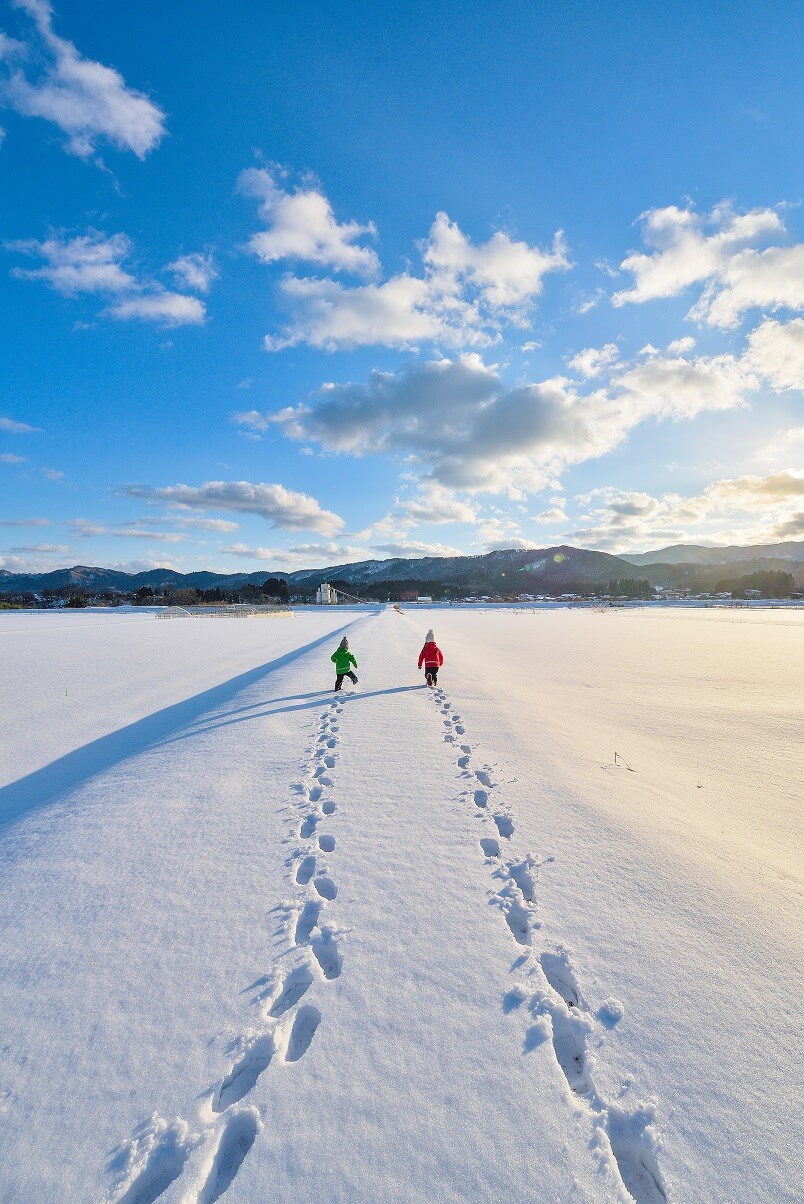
(303, 226)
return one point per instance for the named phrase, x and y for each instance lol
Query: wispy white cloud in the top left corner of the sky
(90, 103)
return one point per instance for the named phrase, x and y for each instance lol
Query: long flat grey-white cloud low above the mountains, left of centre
(279, 506)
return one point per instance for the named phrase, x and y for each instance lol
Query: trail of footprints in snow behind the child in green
(158, 1153)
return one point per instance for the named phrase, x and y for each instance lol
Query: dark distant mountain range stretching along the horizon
(531, 571)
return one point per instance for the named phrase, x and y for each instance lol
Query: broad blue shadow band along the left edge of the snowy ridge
(37, 789)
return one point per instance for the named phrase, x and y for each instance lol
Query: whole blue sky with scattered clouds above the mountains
(286, 286)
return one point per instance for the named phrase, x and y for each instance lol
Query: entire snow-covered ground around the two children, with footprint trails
(399, 945)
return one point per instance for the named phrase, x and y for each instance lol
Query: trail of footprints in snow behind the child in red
(547, 985)
